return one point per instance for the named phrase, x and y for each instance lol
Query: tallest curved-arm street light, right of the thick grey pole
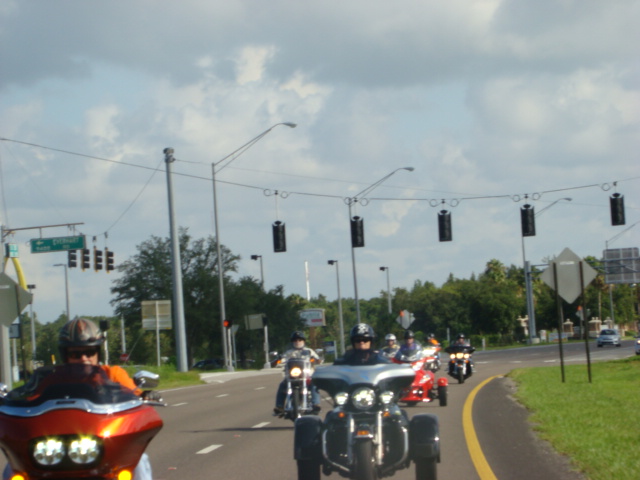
(231, 157)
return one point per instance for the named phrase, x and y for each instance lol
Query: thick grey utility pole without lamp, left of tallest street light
(176, 273)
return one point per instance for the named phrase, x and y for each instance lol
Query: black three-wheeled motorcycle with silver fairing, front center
(366, 436)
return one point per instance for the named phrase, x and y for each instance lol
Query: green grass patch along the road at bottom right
(595, 424)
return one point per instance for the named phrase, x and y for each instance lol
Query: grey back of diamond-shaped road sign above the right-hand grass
(568, 270)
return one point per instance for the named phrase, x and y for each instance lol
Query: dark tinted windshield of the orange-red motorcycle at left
(69, 381)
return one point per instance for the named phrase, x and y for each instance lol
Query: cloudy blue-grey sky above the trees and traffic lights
(494, 104)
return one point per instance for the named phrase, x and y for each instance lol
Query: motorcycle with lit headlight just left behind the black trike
(297, 374)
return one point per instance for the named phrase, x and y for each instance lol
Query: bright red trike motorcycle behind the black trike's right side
(424, 388)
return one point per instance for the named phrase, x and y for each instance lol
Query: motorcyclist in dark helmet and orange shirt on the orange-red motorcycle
(79, 342)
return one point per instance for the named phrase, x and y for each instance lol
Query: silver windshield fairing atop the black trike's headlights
(339, 378)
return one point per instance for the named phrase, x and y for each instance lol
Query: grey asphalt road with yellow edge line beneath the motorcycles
(225, 429)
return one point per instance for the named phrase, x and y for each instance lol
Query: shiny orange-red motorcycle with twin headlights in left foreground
(71, 421)
